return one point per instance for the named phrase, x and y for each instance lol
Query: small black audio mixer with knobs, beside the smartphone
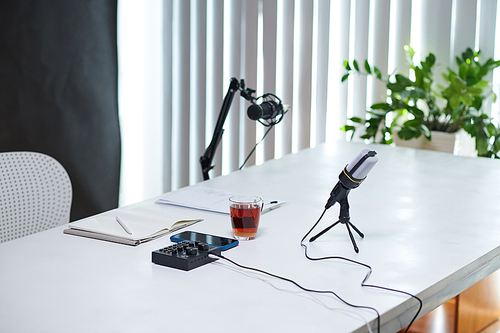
(185, 255)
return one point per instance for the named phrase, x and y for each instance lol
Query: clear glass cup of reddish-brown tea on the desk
(245, 215)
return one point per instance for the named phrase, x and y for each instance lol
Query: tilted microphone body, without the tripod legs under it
(353, 175)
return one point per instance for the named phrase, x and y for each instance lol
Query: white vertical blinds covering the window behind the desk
(176, 59)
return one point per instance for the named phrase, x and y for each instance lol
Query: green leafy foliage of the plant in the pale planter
(415, 108)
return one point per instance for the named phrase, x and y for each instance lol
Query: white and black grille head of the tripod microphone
(355, 172)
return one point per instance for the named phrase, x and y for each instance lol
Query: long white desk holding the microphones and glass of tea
(431, 225)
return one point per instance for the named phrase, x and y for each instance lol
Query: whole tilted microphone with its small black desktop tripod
(351, 177)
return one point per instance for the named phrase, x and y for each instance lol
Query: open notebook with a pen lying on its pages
(144, 224)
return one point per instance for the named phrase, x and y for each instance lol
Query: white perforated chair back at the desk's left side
(35, 194)
